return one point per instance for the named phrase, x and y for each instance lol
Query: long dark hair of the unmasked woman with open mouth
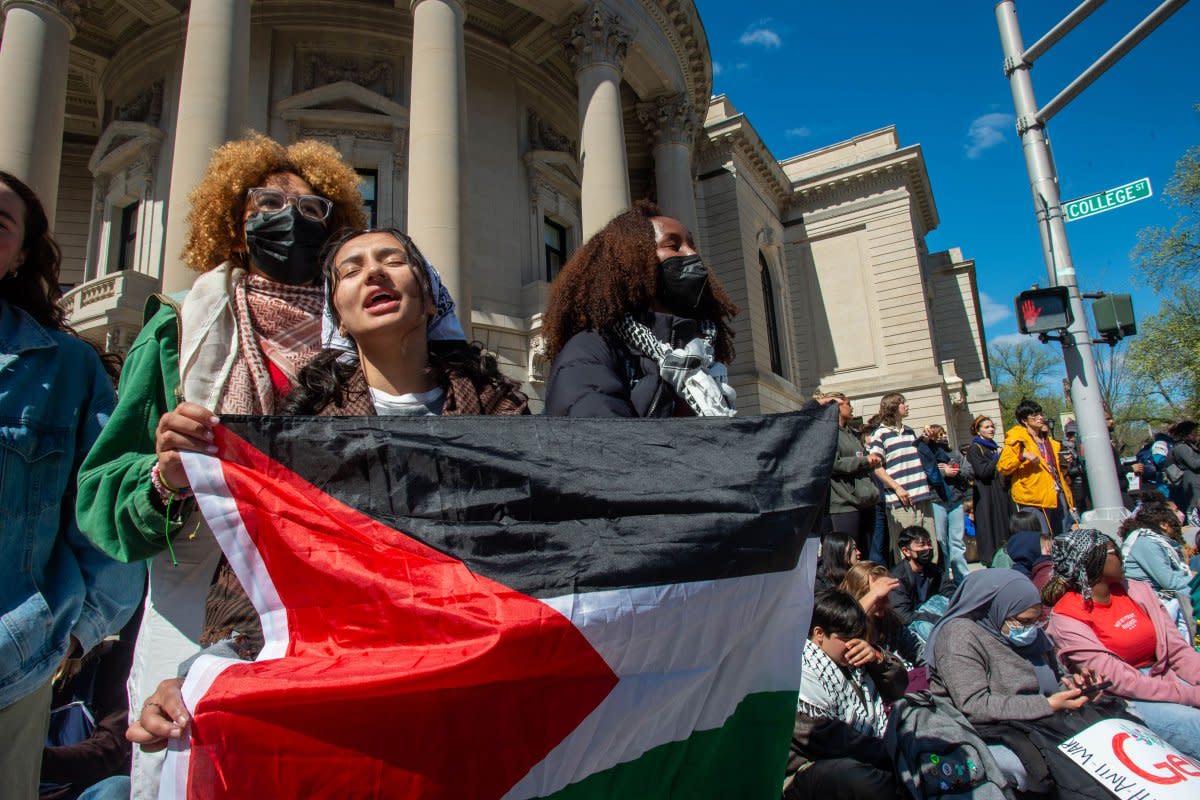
(328, 378)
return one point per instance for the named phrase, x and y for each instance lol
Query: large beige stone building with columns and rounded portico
(500, 134)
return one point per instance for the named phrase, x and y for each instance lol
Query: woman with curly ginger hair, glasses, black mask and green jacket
(233, 346)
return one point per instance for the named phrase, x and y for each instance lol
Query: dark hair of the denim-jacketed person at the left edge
(34, 287)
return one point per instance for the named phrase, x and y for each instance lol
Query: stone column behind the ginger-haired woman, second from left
(212, 112)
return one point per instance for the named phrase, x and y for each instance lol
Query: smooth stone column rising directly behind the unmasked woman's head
(437, 145)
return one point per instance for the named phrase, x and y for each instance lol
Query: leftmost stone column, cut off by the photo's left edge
(33, 101)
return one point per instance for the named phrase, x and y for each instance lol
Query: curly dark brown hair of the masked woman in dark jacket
(616, 274)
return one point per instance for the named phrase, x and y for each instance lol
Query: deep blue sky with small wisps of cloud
(811, 74)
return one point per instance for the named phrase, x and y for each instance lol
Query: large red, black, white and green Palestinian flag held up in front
(509, 607)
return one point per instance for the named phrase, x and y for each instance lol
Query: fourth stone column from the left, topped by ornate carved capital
(596, 46)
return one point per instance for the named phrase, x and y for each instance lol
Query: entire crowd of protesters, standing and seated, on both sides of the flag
(298, 309)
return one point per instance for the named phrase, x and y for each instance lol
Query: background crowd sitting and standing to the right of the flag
(1057, 627)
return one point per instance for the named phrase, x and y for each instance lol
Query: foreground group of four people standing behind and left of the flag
(297, 309)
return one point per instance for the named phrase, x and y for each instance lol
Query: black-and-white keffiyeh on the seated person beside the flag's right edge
(827, 691)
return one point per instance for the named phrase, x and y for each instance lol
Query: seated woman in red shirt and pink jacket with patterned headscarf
(1114, 627)
